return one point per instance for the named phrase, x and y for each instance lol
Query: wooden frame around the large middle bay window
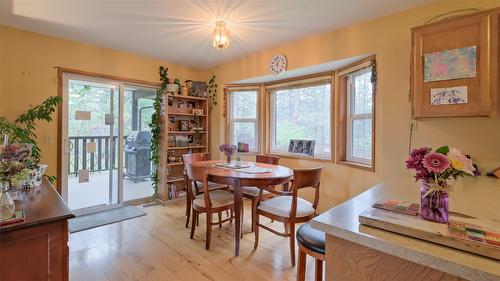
(299, 82)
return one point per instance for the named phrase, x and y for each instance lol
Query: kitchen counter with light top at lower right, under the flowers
(477, 197)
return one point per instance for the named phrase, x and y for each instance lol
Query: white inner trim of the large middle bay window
(272, 119)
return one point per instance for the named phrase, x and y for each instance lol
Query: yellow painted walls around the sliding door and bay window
(27, 76)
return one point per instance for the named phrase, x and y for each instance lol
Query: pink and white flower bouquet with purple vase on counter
(438, 171)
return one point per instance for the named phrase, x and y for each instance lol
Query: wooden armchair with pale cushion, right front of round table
(288, 208)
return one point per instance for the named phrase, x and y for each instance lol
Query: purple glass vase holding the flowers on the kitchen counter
(434, 206)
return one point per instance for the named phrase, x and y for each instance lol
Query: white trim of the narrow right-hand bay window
(351, 117)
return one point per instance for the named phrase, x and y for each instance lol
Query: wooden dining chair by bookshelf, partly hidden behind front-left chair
(195, 186)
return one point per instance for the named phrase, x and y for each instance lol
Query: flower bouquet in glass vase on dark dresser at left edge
(15, 163)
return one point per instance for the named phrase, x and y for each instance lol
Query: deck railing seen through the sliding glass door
(98, 161)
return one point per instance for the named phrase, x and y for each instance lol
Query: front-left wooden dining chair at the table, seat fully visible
(210, 202)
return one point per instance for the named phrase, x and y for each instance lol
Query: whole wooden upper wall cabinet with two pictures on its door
(454, 67)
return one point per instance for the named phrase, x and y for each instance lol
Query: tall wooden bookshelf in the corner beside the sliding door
(178, 139)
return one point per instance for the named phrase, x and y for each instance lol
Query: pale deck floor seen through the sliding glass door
(96, 191)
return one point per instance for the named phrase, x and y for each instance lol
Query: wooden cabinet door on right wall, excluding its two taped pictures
(459, 33)
